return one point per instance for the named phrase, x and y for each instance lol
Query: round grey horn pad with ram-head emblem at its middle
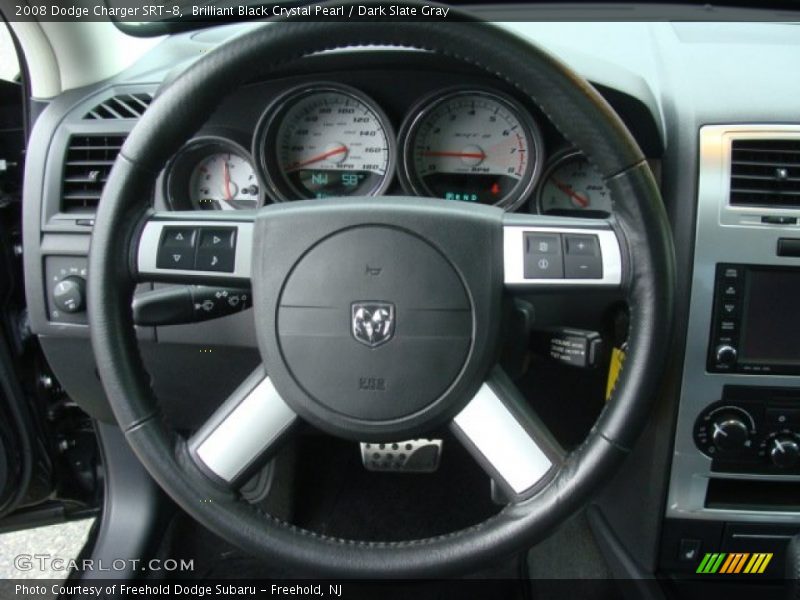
(374, 323)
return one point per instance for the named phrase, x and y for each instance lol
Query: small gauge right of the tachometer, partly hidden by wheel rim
(571, 183)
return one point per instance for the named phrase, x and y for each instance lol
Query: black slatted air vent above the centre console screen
(765, 173)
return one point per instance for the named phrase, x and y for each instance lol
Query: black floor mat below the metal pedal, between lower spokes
(337, 496)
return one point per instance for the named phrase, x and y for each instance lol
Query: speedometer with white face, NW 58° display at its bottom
(329, 140)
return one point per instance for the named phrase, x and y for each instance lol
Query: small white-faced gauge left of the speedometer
(213, 173)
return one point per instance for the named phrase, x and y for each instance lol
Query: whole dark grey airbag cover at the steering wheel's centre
(381, 313)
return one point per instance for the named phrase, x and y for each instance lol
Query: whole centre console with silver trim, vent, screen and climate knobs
(735, 479)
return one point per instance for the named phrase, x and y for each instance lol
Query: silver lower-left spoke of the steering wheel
(244, 432)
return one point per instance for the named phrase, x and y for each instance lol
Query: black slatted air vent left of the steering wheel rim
(89, 160)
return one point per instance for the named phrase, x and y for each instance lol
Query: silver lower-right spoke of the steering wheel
(507, 439)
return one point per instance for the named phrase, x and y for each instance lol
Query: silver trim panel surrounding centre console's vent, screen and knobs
(724, 234)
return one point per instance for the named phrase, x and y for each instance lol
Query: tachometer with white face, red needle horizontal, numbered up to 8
(473, 146)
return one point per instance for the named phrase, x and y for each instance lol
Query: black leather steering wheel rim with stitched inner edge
(582, 116)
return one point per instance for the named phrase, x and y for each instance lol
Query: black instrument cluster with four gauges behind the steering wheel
(435, 131)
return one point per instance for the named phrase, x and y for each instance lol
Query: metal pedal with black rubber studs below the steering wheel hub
(410, 456)
